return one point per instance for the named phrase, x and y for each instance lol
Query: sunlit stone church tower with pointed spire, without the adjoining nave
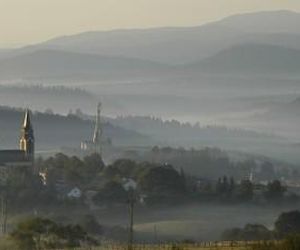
(27, 137)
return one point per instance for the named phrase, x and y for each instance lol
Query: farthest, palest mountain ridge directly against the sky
(182, 44)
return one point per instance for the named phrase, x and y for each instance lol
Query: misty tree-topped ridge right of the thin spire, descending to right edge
(187, 135)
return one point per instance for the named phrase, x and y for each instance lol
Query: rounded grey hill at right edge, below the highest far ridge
(252, 58)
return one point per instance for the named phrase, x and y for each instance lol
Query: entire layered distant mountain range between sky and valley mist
(265, 42)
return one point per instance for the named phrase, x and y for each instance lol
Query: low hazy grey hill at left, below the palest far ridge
(56, 63)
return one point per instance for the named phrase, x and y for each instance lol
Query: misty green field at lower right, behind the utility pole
(198, 222)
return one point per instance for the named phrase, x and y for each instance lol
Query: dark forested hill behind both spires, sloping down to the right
(54, 131)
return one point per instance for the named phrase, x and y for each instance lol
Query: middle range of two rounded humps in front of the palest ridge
(248, 59)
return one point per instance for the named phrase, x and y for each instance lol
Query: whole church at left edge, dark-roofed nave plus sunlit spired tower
(24, 156)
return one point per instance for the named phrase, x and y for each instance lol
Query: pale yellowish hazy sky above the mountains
(29, 21)
